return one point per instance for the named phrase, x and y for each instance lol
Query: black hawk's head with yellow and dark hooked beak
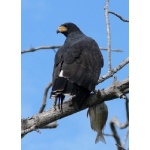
(67, 28)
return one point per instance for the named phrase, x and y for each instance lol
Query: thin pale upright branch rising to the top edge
(108, 34)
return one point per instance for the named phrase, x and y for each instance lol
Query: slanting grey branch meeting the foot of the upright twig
(113, 71)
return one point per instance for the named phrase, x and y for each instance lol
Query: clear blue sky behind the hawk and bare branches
(39, 21)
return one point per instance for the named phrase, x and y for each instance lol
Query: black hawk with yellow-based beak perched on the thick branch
(77, 66)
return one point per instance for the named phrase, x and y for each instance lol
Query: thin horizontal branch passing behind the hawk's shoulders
(56, 47)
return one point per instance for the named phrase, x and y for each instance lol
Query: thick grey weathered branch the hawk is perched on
(44, 118)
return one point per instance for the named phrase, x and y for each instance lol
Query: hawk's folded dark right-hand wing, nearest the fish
(82, 63)
